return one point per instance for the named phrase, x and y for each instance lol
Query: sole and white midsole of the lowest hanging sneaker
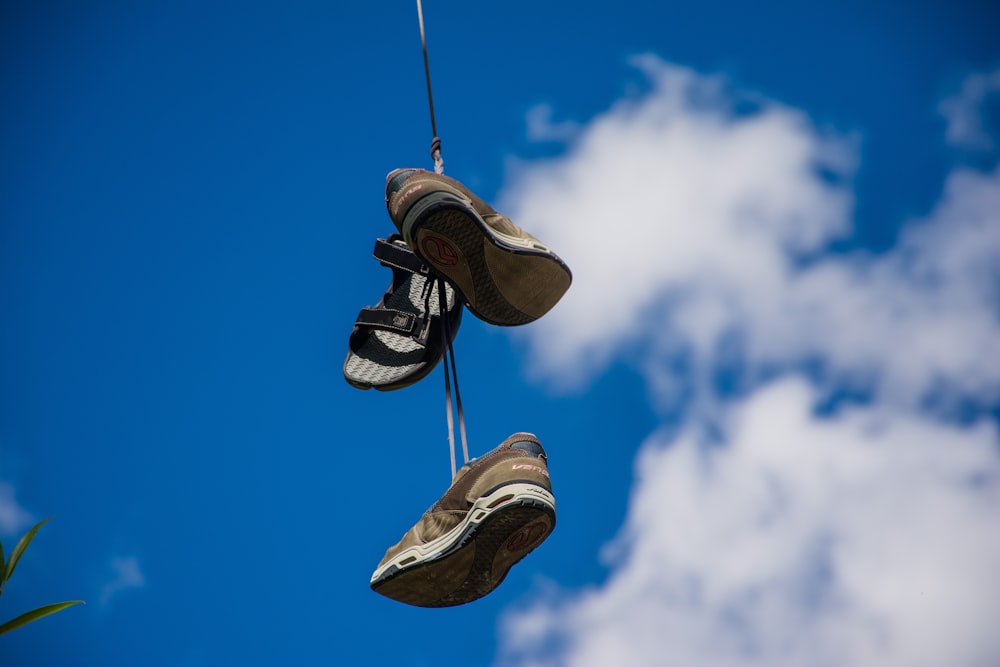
(473, 558)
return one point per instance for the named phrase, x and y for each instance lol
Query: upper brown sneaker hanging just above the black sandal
(505, 275)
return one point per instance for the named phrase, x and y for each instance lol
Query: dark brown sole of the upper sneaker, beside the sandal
(505, 280)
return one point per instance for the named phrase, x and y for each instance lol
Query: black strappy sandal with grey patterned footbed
(399, 341)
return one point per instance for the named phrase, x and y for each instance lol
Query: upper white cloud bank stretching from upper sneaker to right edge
(688, 226)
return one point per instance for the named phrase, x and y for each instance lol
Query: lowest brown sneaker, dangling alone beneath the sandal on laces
(499, 507)
